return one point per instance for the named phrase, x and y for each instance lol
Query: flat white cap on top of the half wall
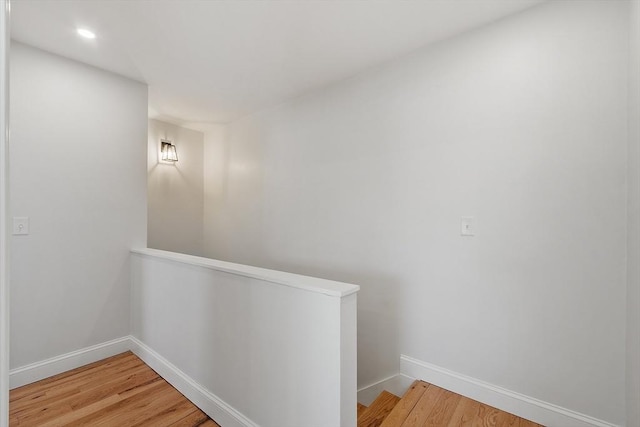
(306, 283)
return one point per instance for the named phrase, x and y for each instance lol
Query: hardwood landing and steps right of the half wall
(425, 404)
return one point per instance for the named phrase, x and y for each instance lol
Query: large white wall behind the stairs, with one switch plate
(522, 125)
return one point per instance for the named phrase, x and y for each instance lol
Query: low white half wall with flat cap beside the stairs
(276, 347)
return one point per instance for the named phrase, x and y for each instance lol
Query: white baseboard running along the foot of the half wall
(211, 404)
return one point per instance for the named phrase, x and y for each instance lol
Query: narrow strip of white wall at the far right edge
(633, 223)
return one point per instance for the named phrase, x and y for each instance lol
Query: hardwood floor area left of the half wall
(118, 391)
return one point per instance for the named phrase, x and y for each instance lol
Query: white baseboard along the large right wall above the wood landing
(524, 406)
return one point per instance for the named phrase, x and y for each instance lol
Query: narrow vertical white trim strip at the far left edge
(4, 212)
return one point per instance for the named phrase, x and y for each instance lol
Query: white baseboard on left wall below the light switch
(66, 362)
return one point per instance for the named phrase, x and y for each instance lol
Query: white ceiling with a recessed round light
(215, 61)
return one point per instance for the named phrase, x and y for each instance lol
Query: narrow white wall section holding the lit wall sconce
(175, 190)
